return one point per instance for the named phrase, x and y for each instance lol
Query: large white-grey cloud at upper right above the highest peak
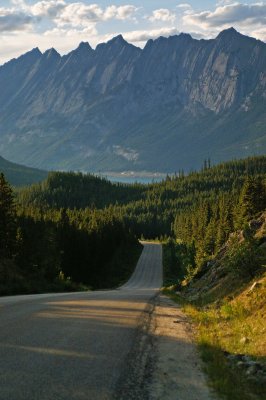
(236, 13)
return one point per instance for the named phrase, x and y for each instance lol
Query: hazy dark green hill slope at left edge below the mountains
(19, 175)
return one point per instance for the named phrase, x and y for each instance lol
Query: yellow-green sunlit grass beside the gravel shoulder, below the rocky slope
(231, 325)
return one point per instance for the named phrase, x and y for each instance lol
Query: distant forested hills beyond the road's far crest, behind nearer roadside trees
(149, 210)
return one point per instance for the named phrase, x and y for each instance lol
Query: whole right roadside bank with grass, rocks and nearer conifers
(222, 287)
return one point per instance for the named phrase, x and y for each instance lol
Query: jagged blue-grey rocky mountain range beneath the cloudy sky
(169, 106)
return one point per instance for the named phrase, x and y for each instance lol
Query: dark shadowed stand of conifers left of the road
(57, 249)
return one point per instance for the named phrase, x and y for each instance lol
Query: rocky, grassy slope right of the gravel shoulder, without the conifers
(230, 321)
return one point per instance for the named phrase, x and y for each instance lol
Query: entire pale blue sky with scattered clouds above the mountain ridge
(63, 24)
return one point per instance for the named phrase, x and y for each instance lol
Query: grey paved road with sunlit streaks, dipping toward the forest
(75, 346)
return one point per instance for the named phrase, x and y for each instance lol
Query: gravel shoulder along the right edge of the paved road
(177, 373)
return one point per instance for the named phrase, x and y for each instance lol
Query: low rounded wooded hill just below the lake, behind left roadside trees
(77, 190)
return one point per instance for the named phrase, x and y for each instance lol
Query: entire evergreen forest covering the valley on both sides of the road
(73, 230)
